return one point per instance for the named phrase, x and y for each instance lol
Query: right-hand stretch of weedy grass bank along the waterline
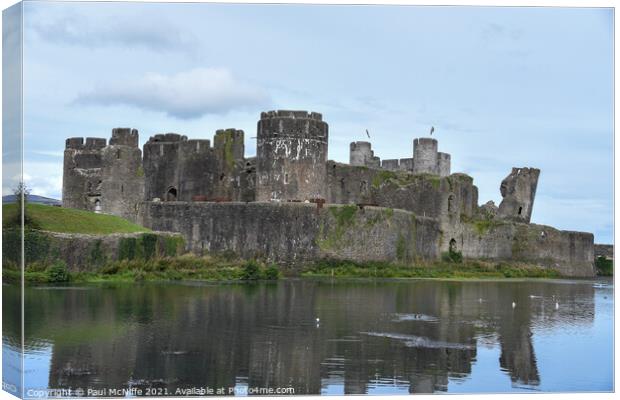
(439, 269)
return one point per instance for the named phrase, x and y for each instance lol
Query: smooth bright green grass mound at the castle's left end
(69, 220)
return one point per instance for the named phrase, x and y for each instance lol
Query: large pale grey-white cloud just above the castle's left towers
(186, 95)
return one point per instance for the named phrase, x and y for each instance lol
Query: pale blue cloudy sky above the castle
(503, 87)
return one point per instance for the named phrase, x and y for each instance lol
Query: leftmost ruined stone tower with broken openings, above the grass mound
(82, 173)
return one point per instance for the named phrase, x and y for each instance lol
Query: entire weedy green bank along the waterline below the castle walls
(209, 268)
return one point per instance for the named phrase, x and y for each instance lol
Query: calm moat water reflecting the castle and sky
(373, 337)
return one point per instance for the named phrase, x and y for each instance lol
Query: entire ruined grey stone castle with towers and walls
(292, 205)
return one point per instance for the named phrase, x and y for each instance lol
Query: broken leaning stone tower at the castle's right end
(518, 190)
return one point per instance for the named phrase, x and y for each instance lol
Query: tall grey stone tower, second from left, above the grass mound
(122, 174)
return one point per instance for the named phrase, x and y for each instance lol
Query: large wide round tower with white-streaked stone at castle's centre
(291, 156)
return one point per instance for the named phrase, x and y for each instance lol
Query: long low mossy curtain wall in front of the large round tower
(334, 231)
